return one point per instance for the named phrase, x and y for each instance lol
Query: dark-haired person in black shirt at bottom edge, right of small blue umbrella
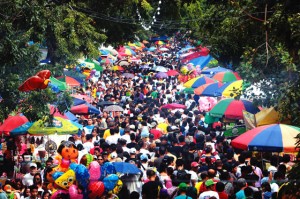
(150, 188)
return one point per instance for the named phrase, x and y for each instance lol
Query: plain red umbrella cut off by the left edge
(12, 122)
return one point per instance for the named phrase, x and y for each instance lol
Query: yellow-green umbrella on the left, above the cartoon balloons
(60, 126)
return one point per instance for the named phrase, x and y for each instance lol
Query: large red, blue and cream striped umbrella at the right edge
(272, 138)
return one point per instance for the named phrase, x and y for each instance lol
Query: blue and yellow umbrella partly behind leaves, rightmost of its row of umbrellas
(232, 89)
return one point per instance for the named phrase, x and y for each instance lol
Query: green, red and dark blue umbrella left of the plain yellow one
(232, 108)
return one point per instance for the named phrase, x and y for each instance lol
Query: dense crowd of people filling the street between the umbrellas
(183, 159)
